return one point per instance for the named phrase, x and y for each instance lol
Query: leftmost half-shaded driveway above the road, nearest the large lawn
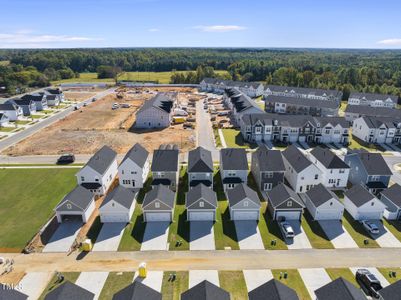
(62, 239)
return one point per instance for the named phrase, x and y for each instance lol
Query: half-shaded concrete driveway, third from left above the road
(155, 236)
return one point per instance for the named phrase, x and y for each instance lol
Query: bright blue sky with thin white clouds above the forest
(217, 23)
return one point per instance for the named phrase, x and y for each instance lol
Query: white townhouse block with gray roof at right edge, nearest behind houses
(377, 130)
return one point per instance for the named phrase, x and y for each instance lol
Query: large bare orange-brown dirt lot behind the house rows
(86, 130)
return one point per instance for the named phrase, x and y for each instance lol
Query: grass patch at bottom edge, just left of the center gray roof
(172, 290)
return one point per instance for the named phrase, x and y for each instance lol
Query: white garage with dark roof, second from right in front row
(362, 205)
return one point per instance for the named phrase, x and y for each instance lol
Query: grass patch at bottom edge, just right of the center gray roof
(234, 283)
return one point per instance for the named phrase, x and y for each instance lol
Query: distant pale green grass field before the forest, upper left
(161, 77)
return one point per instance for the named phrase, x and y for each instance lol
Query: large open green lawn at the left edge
(28, 201)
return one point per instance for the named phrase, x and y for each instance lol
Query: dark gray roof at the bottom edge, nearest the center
(205, 290)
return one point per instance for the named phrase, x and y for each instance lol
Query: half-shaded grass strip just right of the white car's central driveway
(315, 233)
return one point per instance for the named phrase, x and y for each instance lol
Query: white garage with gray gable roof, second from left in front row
(118, 206)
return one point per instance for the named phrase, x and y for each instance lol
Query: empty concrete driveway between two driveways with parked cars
(338, 236)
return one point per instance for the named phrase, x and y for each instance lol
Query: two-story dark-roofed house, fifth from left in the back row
(233, 167)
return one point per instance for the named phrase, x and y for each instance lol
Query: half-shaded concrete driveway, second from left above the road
(109, 237)
